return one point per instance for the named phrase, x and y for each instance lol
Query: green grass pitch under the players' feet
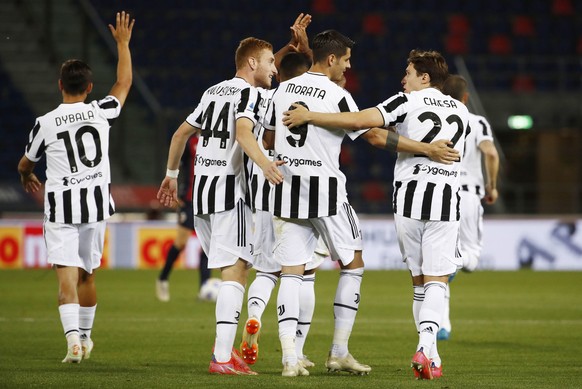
(510, 330)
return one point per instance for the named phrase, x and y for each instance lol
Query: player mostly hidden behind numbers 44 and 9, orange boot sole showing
(267, 267)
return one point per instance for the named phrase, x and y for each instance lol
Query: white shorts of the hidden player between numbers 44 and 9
(263, 256)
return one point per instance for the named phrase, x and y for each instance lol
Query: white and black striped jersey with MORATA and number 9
(313, 184)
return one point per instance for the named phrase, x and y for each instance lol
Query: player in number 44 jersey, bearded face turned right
(225, 118)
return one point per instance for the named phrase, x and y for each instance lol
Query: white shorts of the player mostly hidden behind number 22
(470, 232)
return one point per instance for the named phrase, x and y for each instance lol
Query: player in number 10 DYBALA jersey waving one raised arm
(74, 137)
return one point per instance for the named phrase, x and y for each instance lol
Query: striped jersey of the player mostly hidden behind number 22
(471, 168)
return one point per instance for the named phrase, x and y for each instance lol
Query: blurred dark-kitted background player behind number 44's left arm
(185, 223)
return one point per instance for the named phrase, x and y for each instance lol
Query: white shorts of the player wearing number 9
(296, 239)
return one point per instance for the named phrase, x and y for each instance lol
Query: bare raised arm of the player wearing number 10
(122, 35)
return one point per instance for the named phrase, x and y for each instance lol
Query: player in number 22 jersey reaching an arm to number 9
(425, 200)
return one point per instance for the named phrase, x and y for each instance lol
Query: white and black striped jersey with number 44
(222, 168)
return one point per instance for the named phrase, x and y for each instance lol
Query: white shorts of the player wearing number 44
(226, 236)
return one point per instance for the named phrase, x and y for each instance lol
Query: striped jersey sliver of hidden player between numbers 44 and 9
(259, 187)
